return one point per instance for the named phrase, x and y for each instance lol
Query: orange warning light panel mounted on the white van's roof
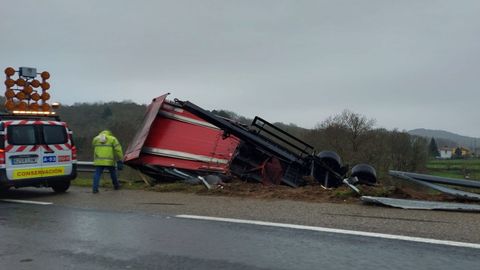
(26, 94)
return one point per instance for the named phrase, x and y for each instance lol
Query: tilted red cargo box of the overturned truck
(173, 142)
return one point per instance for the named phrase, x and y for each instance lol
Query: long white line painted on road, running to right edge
(340, 231)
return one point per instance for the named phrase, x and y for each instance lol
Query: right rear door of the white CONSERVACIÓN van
(57, 150)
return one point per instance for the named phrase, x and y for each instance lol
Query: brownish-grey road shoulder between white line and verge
(454, 226)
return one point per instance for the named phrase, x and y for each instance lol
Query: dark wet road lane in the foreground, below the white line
(66, 237)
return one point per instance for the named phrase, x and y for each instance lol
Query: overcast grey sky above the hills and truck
(407, 64)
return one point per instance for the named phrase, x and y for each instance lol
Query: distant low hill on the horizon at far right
(445, 138)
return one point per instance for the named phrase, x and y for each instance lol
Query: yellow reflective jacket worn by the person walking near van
(106, 149)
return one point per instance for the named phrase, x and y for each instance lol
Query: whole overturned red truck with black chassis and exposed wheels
(180, 140)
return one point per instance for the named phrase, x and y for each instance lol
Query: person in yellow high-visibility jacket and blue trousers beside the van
(106, 151)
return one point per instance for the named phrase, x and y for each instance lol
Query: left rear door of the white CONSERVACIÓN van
(23, 156)
